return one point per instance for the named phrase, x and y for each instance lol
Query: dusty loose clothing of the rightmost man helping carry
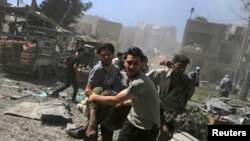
(171, 100)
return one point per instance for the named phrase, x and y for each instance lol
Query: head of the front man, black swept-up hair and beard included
(133, 61)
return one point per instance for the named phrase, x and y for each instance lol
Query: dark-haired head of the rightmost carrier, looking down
(179, 63)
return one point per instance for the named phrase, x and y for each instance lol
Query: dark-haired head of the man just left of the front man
(106, 53)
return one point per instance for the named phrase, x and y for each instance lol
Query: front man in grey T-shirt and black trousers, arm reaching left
(143, 120)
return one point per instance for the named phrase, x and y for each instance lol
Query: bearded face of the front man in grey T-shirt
(132, 65)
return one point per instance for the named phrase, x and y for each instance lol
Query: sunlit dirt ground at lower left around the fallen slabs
(14, 128)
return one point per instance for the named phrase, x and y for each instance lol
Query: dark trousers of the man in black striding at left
(69, 81)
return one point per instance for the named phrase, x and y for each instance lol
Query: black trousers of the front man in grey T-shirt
(131, 133)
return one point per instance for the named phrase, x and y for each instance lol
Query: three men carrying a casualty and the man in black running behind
(143, 105)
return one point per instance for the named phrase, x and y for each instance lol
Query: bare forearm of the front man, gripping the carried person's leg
(110, 100)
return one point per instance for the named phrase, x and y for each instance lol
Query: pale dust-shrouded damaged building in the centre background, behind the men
(151, 37)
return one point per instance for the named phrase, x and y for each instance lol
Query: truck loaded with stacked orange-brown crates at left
(28, 41)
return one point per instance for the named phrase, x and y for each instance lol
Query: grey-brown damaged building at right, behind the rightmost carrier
(212, 46)
